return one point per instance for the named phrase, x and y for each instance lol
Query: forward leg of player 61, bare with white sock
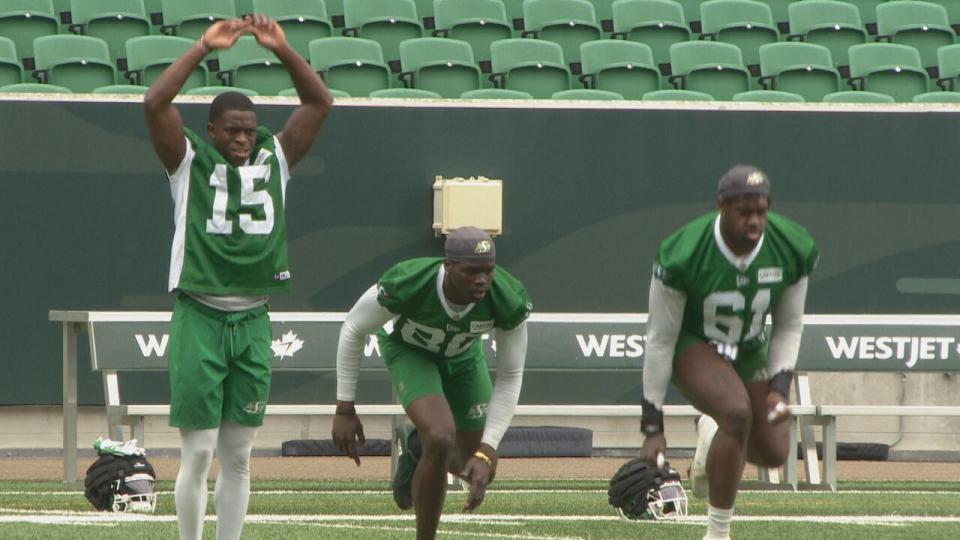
(711, 385)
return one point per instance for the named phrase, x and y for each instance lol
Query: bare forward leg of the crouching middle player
(434, 421)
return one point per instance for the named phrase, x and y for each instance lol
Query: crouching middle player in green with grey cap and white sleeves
(440, 309)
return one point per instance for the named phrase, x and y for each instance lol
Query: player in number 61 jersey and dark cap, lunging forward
(714, 282)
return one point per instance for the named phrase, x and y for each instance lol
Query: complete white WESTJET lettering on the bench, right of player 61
(908, 349)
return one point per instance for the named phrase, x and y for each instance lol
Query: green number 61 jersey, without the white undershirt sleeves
(727, 305)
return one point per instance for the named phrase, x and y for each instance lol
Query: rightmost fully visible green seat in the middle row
(887, 68)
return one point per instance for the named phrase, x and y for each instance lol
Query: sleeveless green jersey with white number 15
(231, 235)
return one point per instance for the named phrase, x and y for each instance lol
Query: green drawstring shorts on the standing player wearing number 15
(219, 365)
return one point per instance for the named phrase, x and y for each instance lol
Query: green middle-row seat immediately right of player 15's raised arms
(353, 65)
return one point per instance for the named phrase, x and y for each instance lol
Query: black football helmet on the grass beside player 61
(641, 491)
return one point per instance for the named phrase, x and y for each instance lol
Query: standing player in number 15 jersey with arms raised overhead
(229, 252)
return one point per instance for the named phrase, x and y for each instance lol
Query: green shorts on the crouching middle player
(465, 382)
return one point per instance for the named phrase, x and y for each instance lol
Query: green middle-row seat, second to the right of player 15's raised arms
(444, 66)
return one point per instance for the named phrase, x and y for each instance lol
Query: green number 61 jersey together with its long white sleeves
(724, 299)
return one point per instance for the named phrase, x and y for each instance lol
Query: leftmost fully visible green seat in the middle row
(81, 63)
